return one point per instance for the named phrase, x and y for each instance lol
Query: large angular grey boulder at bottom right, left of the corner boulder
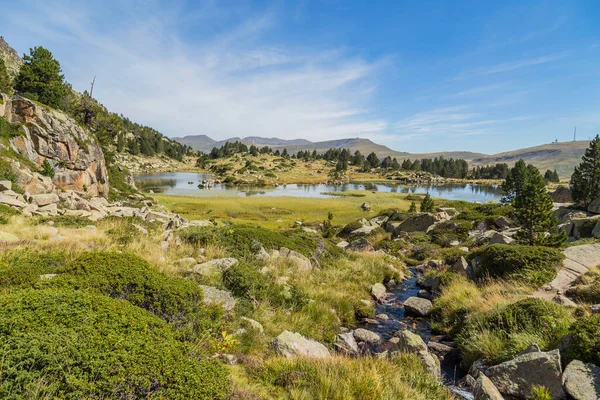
(518, 376)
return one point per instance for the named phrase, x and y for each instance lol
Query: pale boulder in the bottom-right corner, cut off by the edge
(582, 381)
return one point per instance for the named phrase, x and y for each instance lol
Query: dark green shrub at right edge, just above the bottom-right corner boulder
(585, 341)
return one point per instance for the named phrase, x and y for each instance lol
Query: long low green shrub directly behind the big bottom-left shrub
(128, 277)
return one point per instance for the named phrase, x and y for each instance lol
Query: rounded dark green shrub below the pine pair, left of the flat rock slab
(532, 265)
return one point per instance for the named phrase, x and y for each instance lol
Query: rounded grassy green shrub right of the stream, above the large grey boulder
(507, 330)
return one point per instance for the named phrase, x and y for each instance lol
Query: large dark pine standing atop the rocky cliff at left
(40, 78)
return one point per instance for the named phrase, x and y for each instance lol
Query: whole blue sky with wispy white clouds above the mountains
(417, 76)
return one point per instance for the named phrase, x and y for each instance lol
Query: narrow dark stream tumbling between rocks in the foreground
(398, 320)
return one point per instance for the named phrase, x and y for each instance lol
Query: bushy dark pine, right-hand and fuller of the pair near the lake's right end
(533, 208)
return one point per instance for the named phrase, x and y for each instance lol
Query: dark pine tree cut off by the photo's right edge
(585, 181)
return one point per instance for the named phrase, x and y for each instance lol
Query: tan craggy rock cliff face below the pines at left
(51, 135)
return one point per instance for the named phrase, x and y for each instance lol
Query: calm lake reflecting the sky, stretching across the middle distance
(186, 184)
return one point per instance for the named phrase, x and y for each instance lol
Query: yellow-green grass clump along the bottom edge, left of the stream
(400, 377)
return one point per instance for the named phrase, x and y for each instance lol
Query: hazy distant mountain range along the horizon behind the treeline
(562, 156)
